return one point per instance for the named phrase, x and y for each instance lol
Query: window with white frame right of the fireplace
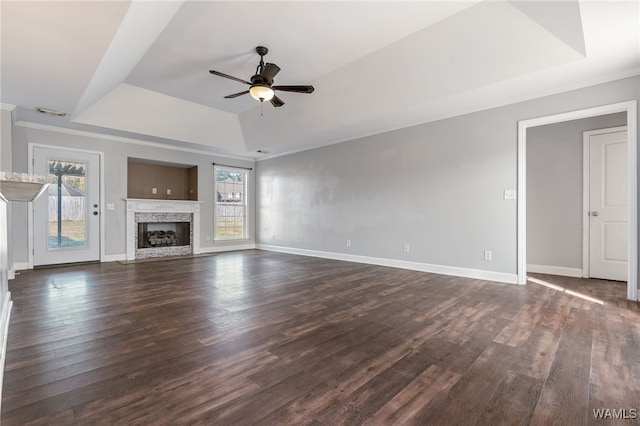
(231, 203)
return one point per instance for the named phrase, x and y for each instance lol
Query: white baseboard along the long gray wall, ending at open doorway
(403, 264)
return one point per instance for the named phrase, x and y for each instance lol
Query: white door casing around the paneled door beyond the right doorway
(586, 240)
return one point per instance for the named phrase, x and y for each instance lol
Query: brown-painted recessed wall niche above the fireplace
(161, 181)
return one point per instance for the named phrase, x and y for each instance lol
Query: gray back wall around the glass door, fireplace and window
(115, 188)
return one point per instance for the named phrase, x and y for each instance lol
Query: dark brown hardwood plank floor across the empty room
(267, 338)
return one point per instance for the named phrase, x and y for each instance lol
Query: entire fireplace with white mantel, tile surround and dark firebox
(161, 228)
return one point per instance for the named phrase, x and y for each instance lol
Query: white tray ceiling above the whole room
(140, 69)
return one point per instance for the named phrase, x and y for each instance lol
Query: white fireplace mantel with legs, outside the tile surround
(137, 205)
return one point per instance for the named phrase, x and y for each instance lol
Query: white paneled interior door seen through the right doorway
(608, 205)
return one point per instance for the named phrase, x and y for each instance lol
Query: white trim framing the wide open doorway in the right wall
(630, 108)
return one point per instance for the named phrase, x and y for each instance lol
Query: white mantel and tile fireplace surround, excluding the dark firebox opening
(159, 211)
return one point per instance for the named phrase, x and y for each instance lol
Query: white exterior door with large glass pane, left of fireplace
(66, 221)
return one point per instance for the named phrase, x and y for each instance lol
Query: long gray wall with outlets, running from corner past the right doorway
(437, 186)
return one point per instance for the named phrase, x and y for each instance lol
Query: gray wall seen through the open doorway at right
(554, 190)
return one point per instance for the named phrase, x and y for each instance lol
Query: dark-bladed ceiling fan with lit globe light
(262, 88)
